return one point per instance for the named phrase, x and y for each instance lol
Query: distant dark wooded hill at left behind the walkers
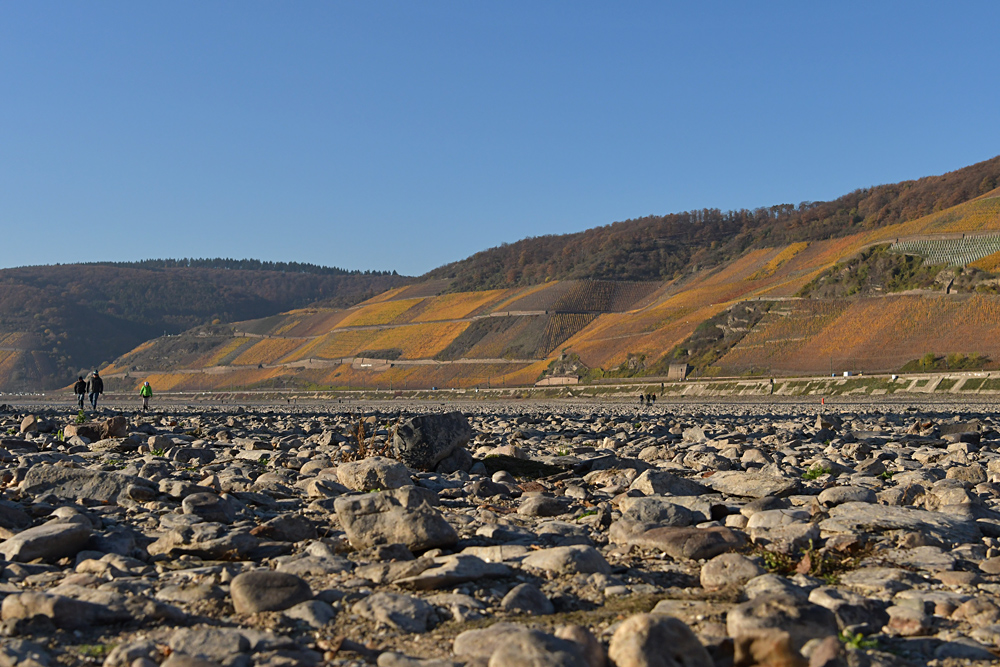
(58, 320)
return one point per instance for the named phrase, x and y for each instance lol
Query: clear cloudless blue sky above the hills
(404, 135)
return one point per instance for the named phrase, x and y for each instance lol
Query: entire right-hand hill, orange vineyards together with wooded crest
(884, 279)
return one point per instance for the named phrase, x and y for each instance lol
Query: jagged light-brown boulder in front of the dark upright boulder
(397, 516)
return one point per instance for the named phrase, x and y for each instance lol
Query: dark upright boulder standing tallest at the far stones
(423, 442)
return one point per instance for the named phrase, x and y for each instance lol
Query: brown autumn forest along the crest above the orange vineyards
(663, 246)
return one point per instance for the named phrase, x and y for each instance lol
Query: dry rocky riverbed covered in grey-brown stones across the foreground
(502, 534)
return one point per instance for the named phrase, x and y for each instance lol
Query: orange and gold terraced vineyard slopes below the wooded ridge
(860, 302)
